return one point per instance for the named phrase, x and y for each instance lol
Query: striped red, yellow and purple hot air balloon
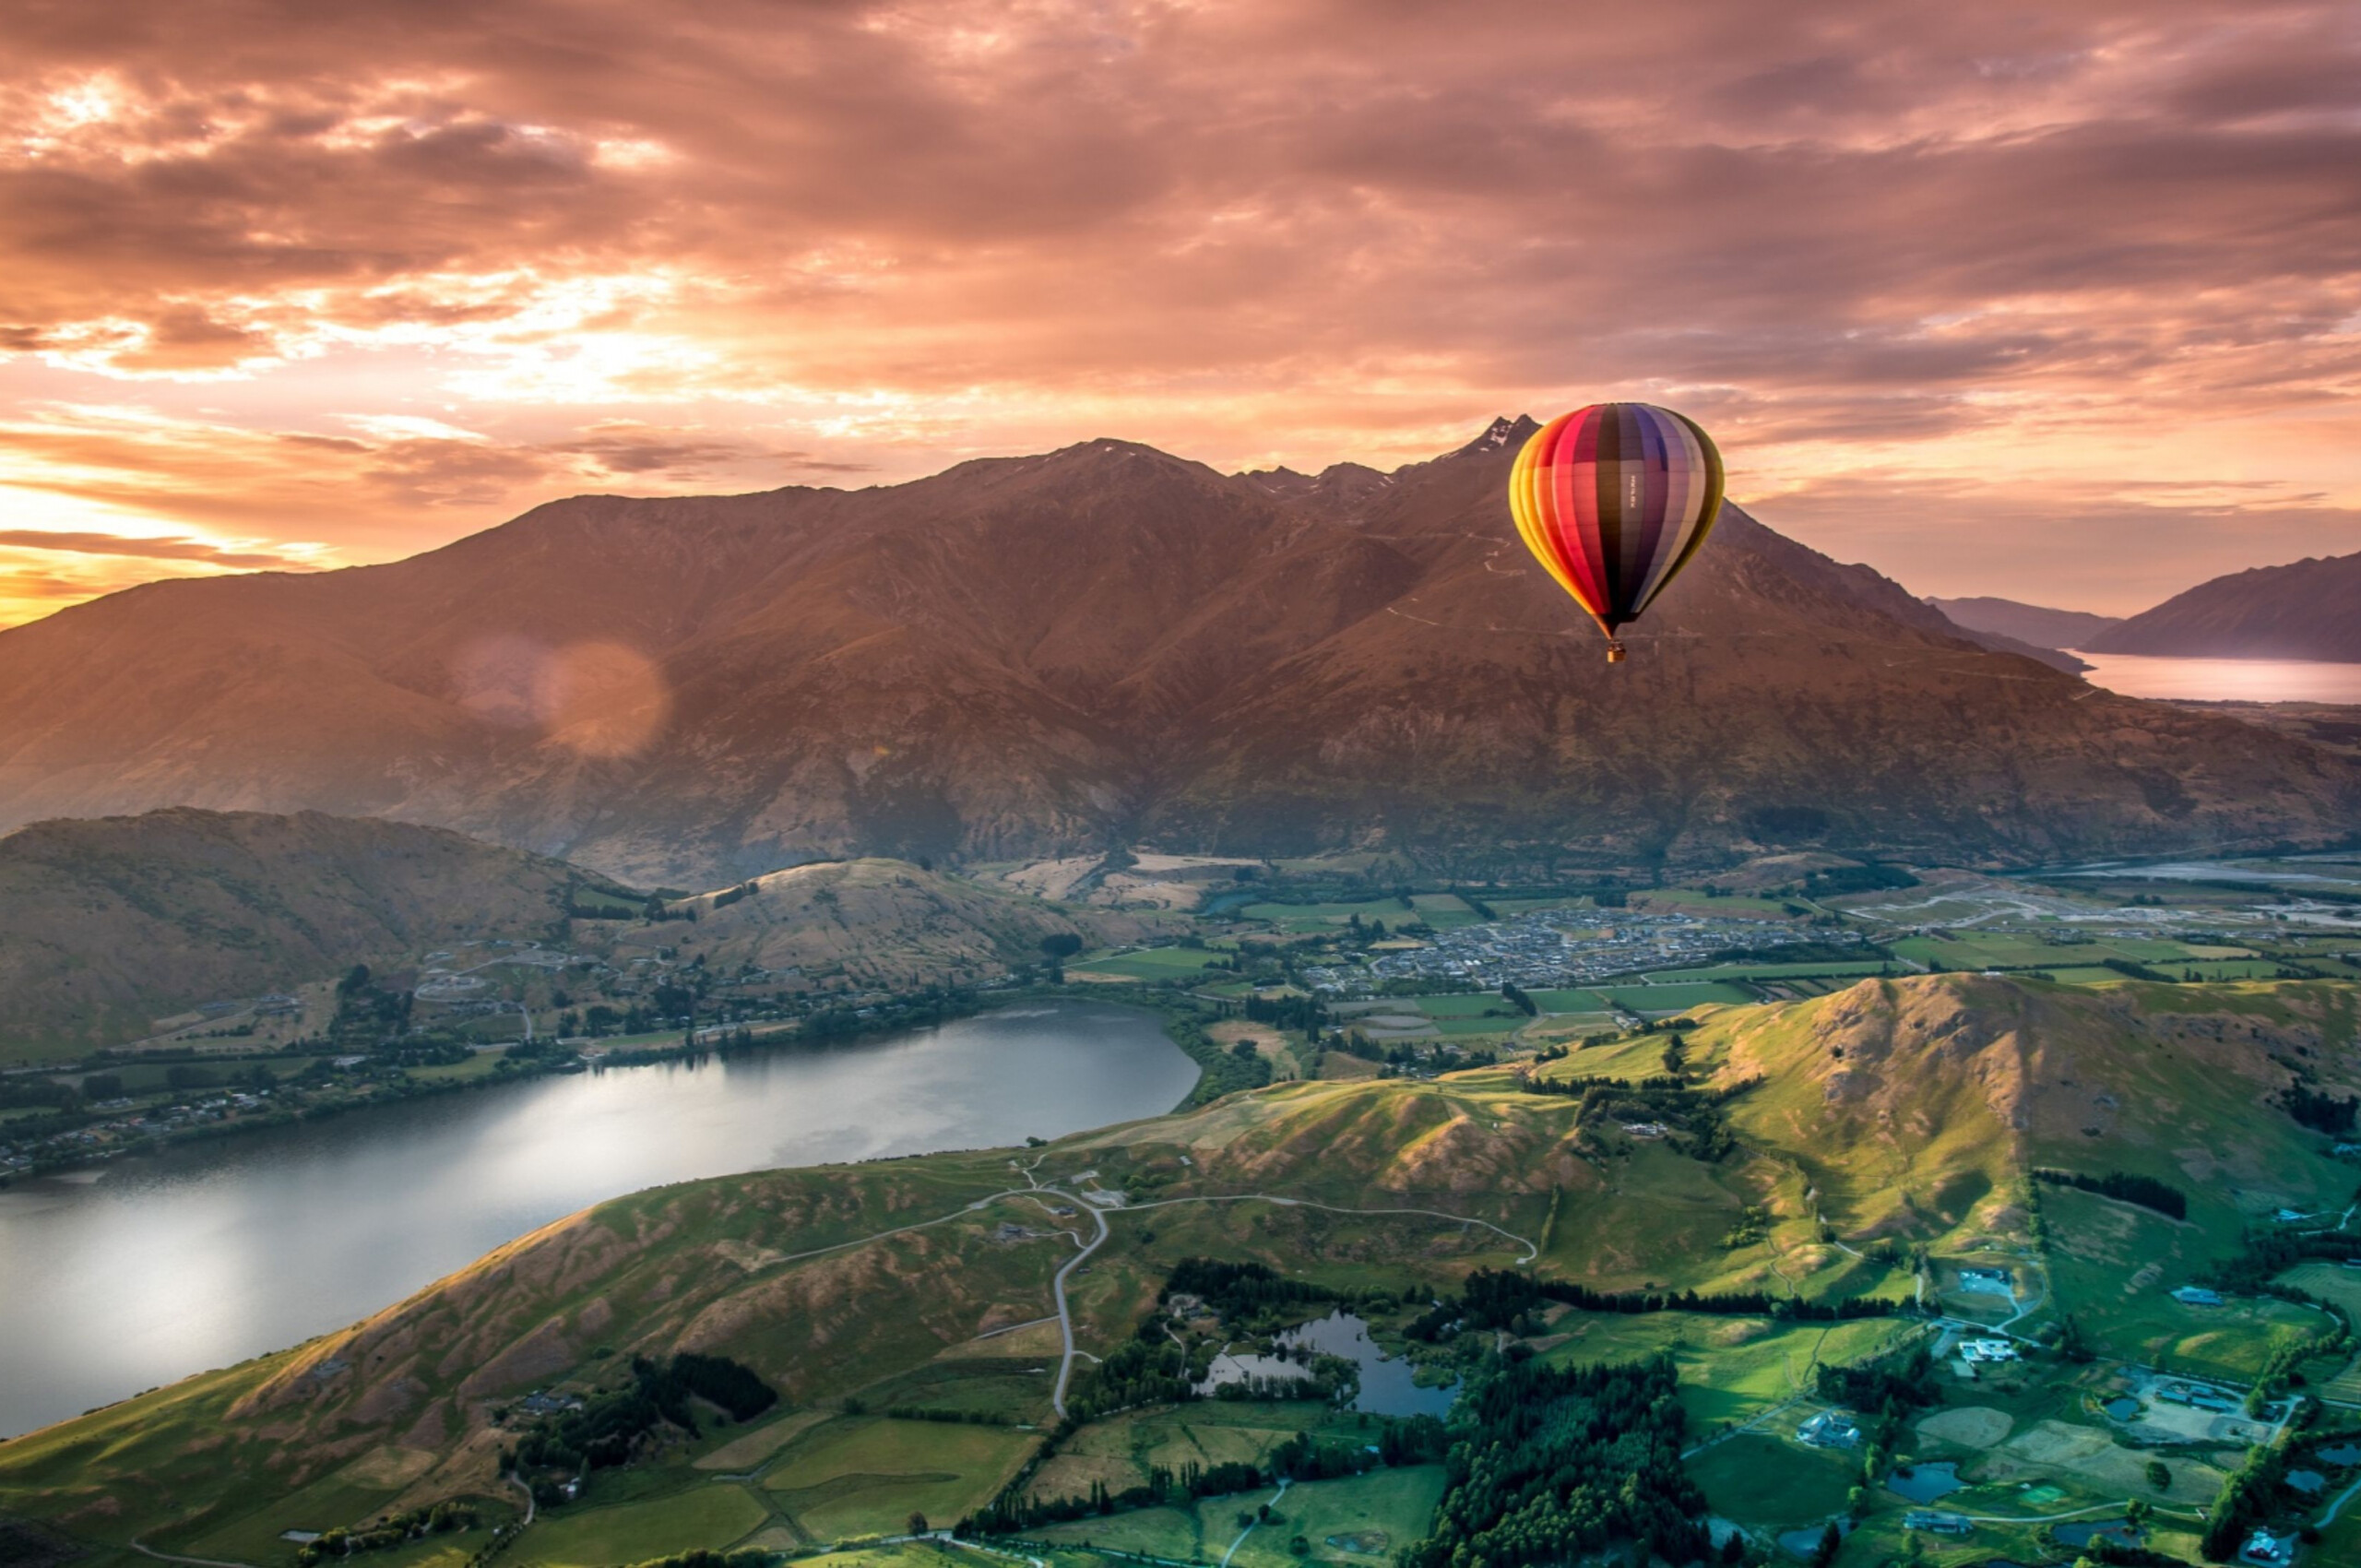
(1614, 502)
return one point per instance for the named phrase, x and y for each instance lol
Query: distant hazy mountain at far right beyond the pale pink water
(2303, 610)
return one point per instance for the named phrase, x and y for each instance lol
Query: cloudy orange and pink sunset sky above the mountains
(2046, 301)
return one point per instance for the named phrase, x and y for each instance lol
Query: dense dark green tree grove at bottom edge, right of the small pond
(1559, 1463)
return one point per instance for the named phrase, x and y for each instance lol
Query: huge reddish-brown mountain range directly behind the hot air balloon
(1108, 646)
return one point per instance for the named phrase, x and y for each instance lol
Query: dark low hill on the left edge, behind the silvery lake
(112, 925)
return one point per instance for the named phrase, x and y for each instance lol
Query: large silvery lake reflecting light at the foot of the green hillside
(145, 1272)
